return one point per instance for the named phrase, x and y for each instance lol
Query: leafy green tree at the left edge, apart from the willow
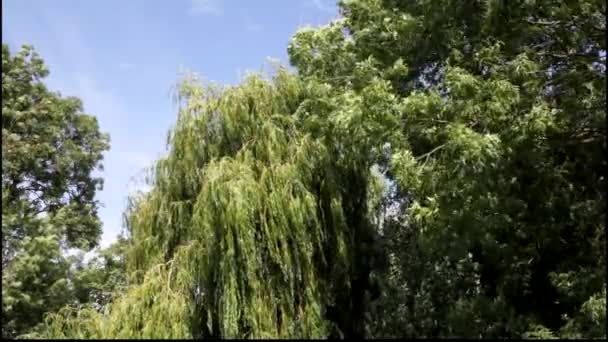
(49, 149)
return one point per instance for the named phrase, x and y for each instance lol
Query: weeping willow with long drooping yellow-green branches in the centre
(257, 224)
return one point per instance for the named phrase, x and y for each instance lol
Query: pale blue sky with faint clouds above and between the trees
(122, 58)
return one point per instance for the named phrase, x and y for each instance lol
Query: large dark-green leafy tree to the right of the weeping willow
(499, 174)
